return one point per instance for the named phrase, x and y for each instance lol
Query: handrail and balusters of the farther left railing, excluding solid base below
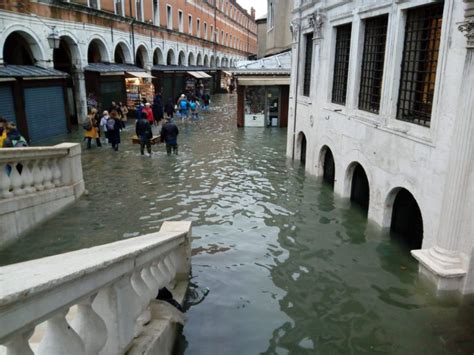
(30, 170)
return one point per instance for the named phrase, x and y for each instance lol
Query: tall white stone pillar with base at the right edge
(445, 263)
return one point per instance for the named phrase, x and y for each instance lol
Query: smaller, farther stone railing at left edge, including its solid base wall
(36, 182)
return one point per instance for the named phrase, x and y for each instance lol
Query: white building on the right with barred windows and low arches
(381, 107)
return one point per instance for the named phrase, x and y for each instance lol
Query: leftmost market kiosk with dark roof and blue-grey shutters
(36, 100)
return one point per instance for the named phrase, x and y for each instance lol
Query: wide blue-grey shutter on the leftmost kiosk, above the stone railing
(45, 112)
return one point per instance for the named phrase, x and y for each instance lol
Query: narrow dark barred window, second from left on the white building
(341, 64)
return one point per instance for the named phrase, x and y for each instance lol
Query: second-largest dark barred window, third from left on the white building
(372, 64)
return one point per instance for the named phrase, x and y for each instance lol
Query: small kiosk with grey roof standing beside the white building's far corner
(263, 87)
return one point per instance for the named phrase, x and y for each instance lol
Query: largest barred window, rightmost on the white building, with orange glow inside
(420, 60)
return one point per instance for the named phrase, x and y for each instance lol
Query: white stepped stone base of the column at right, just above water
(444, 268)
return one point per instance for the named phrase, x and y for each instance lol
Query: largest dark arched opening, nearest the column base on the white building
(407, 221)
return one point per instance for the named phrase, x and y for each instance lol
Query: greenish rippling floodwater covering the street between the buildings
(291, 268)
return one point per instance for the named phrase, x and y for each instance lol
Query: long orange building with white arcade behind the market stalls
(133, 35)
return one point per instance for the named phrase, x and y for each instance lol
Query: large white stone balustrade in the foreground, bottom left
(111, 289)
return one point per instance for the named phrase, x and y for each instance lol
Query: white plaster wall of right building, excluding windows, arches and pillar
(393, 153)
